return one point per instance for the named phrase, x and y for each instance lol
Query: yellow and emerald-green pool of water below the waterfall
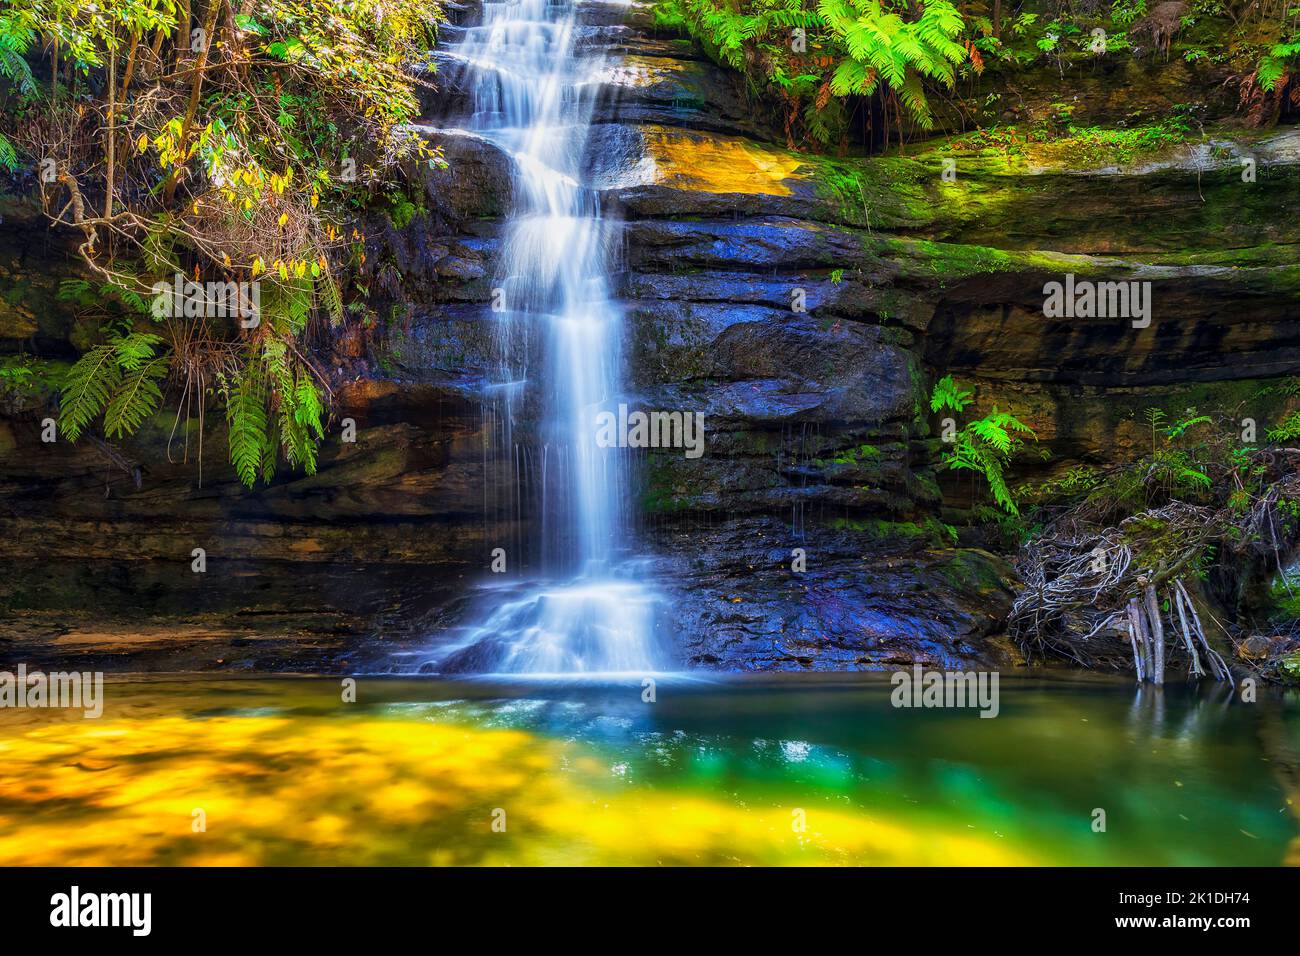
(731, 771)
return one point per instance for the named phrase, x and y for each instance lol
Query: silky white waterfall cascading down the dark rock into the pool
(532, 98)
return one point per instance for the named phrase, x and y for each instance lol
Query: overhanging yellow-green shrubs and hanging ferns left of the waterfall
(250, 165)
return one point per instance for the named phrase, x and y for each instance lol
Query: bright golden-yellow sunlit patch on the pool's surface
(374, 789)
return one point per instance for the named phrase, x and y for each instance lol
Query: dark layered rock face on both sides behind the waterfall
(803, 305)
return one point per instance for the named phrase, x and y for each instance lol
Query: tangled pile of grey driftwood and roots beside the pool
(1104, 591)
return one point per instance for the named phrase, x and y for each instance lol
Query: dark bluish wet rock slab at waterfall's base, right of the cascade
(855, 608)
